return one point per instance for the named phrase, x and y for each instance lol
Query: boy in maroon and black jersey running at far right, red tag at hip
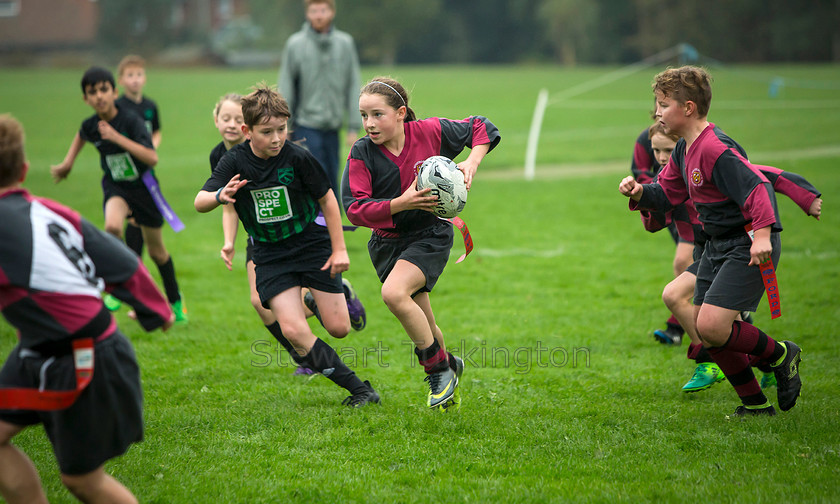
(729, 194)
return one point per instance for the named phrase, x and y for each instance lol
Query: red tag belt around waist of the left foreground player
(51, 400)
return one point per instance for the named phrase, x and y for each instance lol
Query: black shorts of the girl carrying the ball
(428, 250)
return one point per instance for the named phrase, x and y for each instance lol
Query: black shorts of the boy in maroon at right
(725, 280)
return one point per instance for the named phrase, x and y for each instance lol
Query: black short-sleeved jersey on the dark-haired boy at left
(119, 166)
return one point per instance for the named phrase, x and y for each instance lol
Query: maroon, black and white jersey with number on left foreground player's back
(53, 267)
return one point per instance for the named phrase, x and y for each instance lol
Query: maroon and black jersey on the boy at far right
(726, 189)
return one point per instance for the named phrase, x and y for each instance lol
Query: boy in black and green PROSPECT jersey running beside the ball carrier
(277, 188)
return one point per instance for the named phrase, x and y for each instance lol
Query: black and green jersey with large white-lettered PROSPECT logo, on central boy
(281, 197)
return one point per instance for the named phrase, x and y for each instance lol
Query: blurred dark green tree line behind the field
(501, 31)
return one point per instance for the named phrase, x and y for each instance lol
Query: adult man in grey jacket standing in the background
(319, 77)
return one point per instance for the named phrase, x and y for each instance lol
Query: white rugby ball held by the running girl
(446, 181)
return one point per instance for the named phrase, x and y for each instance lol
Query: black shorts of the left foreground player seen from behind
(106, 418)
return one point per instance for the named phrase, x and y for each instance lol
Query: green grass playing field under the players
(566, 396)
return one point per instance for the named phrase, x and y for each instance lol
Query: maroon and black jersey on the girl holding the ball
(374, 176)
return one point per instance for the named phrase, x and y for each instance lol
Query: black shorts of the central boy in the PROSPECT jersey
(296, 261)
